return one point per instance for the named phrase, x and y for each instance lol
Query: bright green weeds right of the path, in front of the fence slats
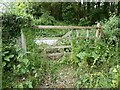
(97, 64)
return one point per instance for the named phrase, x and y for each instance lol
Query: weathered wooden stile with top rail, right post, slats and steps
(72, 28)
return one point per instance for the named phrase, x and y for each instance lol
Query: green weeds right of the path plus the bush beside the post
(97, 62)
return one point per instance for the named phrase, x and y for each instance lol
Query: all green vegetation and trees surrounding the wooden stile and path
(95, 61)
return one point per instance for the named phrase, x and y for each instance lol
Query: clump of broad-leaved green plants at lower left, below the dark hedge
(14, 63)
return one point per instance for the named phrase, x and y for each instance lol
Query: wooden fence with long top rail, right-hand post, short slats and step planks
(74, 28)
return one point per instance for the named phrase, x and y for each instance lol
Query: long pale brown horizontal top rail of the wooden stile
(64, 27)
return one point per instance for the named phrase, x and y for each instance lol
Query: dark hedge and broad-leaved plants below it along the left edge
(14, 60)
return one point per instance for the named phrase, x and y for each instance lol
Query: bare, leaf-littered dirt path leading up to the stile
(63, 78)
